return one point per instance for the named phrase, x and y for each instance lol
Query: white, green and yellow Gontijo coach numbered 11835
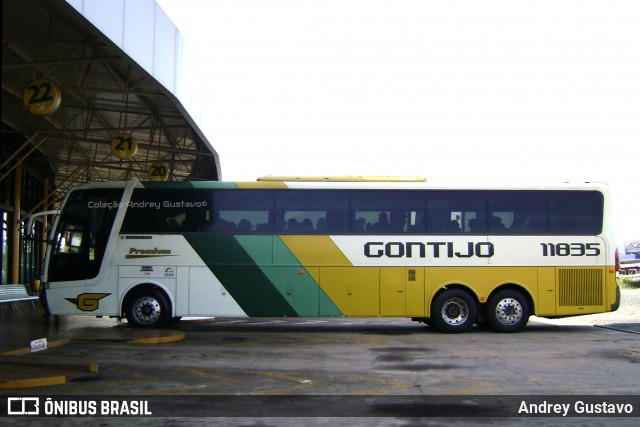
(451, 257)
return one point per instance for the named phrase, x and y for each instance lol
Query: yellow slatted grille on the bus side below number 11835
(580, 286)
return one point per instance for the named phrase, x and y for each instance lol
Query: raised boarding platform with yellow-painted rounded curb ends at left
(24, 322)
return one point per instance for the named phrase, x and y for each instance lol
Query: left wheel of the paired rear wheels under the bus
(453, 311)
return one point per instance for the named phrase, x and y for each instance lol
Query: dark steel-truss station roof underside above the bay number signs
(103, 93)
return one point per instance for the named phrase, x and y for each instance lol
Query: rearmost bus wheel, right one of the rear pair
(508, 311)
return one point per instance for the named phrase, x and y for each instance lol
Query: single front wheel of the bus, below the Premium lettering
(148, 308)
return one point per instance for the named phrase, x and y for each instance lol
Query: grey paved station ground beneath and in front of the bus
(368, 360)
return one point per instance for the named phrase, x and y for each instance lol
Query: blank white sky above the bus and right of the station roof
(457, 91)
